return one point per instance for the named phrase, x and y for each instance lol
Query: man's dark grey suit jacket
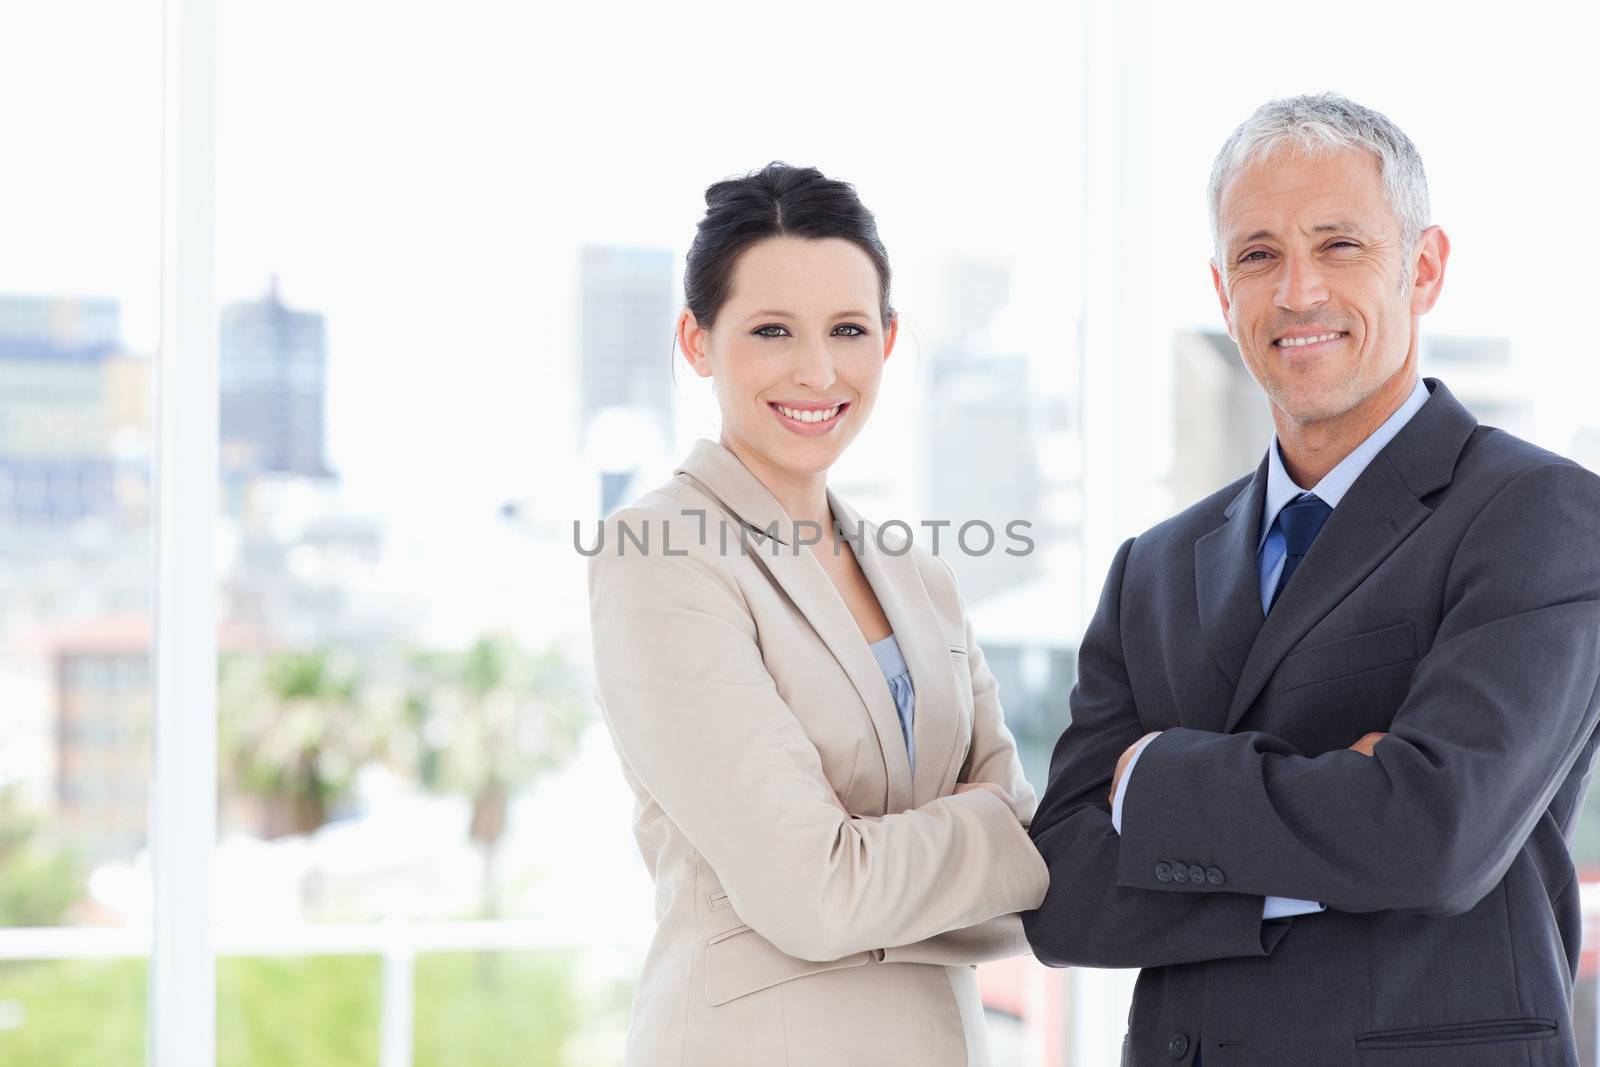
(1452, 601)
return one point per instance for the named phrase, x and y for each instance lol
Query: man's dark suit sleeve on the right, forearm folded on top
(1497, 716)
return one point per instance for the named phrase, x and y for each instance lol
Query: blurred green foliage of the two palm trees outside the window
(295, 727)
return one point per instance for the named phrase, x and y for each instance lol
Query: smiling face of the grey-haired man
(1318, 294)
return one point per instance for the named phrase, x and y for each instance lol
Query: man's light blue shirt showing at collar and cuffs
(1270, 564)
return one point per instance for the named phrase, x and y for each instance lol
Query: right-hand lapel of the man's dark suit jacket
(1380, 513)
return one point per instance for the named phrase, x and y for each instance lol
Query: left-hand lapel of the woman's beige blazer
(809, 588)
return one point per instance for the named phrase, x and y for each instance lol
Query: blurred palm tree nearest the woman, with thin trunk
(487, 722)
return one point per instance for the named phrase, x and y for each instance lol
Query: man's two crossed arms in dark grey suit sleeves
(1426, 821)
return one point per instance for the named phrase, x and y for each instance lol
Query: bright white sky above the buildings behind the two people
(425, 177)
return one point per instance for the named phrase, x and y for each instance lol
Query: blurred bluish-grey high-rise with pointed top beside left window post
(274, 374)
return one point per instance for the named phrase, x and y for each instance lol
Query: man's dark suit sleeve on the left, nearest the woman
(1089, 917)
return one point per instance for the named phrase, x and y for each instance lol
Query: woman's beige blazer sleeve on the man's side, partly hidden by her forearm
(991, 759)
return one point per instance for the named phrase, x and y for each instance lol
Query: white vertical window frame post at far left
(182, 1010)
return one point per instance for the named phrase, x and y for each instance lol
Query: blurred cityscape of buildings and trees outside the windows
(370, 772)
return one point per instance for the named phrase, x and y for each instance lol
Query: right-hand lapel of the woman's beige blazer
(905, 601)
